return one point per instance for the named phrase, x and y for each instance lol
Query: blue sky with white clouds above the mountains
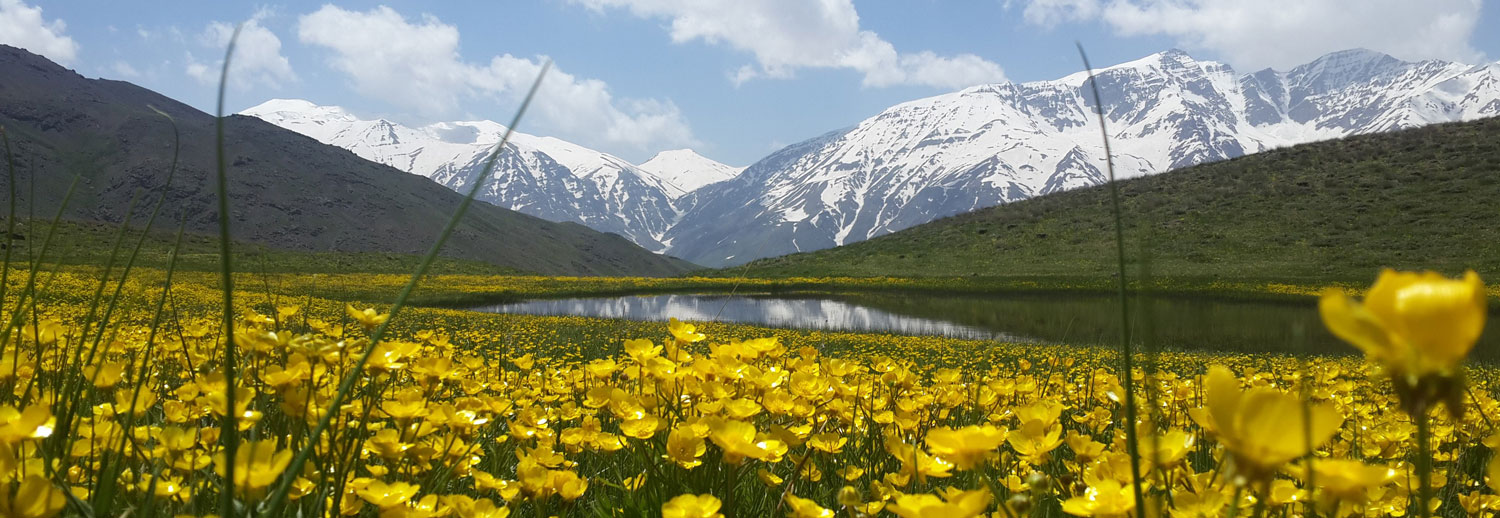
(733, 80)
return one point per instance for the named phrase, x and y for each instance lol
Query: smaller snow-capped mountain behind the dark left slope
(541, 176)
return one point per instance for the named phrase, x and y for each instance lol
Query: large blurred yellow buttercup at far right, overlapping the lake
(1412, 324)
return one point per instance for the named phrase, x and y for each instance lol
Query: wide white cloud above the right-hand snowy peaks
(1283, 34)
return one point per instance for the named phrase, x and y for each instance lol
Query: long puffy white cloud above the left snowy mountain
(416, 65)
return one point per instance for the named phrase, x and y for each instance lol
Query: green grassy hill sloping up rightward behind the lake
(1333, 211)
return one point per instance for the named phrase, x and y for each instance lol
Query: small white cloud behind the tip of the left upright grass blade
(257, 58)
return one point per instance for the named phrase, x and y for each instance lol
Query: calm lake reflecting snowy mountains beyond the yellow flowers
(1186, 324)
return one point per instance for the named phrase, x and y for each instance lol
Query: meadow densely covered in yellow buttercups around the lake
(116, 402)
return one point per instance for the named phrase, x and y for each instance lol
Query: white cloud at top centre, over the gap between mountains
(787, 35)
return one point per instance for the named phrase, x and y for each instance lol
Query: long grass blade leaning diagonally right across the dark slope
(280, 496)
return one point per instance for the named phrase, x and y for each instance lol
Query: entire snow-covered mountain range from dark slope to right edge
(926, 158)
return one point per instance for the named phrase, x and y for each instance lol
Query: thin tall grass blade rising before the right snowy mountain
(1127, 352)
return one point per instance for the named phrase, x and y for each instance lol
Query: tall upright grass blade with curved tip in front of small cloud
(229, 432)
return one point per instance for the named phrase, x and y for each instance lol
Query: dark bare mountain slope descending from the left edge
(287, 190)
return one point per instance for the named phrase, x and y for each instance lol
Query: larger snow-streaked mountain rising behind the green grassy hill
(998, 143)
